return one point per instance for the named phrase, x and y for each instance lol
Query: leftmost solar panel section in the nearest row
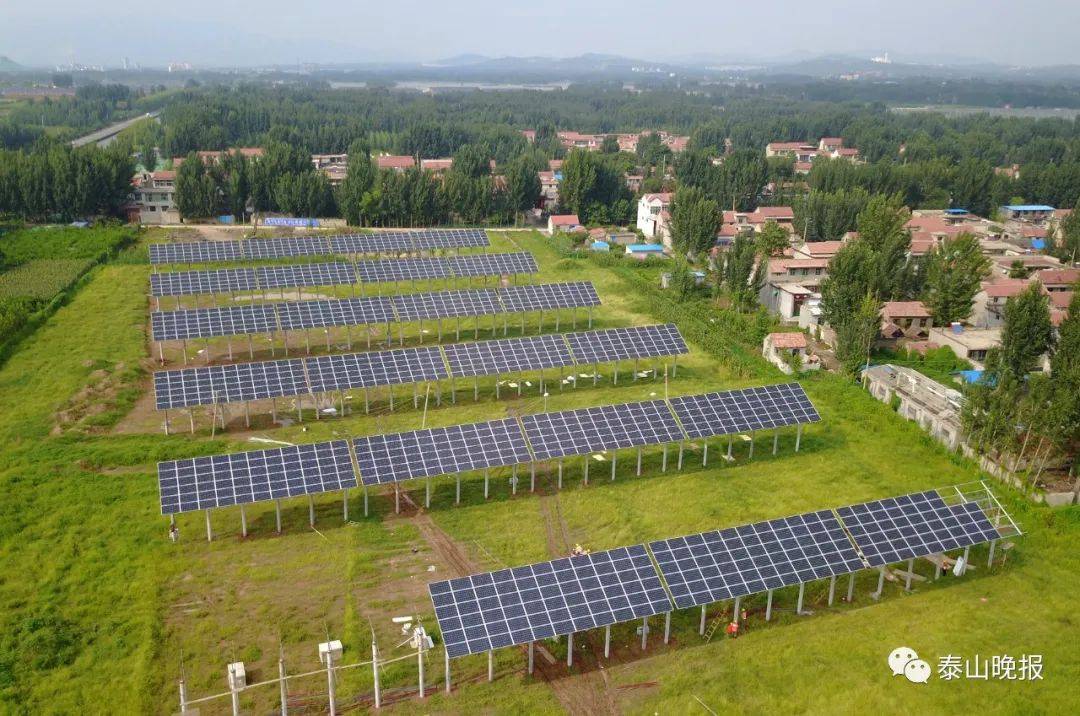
(487, 612)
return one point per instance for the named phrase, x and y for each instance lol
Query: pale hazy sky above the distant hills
(214, 33)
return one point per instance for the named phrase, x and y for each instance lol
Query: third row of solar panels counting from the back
(369, 310)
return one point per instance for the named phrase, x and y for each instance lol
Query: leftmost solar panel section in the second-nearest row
(245, 478)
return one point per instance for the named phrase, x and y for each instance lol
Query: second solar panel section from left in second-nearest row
(397, 457)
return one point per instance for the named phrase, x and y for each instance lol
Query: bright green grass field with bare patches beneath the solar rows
(98, 609)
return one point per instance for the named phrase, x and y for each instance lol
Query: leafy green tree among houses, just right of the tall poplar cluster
(955, 271)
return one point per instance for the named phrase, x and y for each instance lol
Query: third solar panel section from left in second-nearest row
(606, 428)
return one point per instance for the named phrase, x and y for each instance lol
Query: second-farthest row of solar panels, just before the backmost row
(335, 274)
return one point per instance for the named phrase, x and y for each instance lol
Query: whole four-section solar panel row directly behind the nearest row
(213, 482)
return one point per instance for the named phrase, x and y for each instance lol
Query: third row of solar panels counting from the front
(254, 382)
